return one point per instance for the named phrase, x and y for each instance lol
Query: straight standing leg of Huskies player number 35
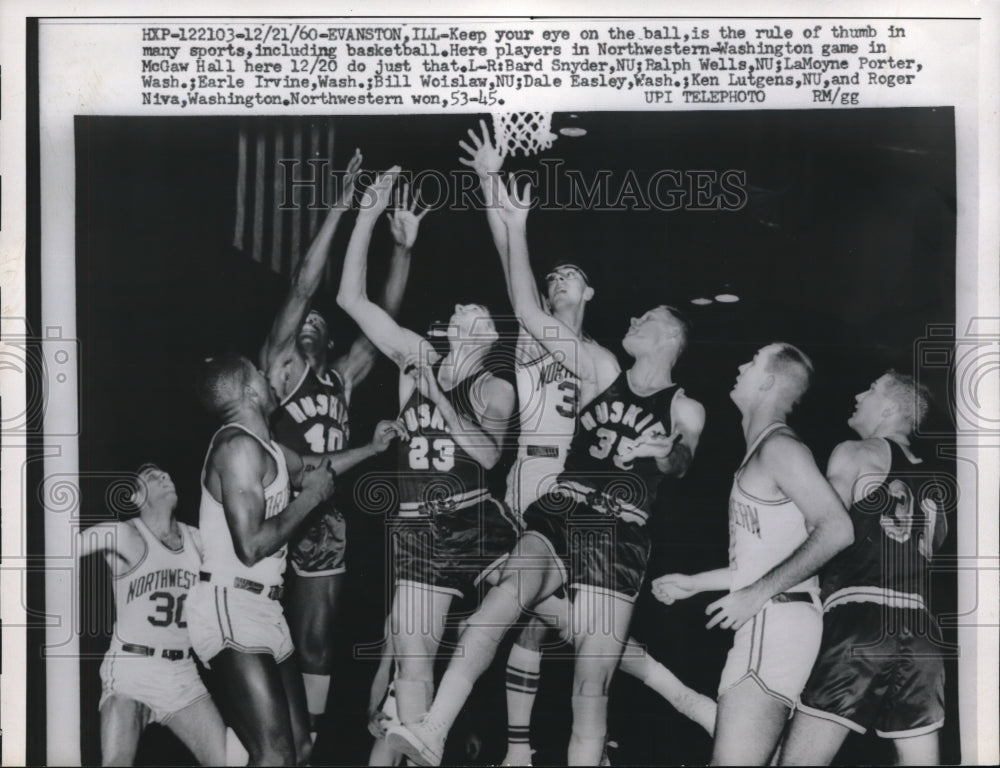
(599, 623)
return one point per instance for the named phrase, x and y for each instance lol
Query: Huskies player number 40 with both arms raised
(314, 391)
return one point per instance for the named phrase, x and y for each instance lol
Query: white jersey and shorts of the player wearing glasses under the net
(548, 401)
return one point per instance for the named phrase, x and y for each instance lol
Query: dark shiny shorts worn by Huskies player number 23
(452, 551)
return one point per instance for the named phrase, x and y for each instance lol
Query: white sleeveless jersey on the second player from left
(220, 556)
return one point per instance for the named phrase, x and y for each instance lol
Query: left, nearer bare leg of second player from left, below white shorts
(254, 699)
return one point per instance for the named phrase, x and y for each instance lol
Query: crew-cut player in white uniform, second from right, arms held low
(785, 522)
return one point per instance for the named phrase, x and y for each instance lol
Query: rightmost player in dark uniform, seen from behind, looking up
(880, 662)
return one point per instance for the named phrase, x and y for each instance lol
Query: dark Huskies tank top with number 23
(433, 468)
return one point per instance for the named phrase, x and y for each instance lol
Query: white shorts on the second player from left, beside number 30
(225, 617)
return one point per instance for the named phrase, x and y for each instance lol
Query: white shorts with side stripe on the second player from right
(776, 649)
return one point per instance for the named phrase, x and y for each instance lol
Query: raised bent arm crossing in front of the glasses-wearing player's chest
(524, 294)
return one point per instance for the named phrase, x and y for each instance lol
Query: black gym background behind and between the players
(845, 247)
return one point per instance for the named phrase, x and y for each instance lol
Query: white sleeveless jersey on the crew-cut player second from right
(762, 532)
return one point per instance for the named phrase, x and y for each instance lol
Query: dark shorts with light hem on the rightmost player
(878, 667)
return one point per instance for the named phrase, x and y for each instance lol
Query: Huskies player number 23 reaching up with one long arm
(449, 531)
